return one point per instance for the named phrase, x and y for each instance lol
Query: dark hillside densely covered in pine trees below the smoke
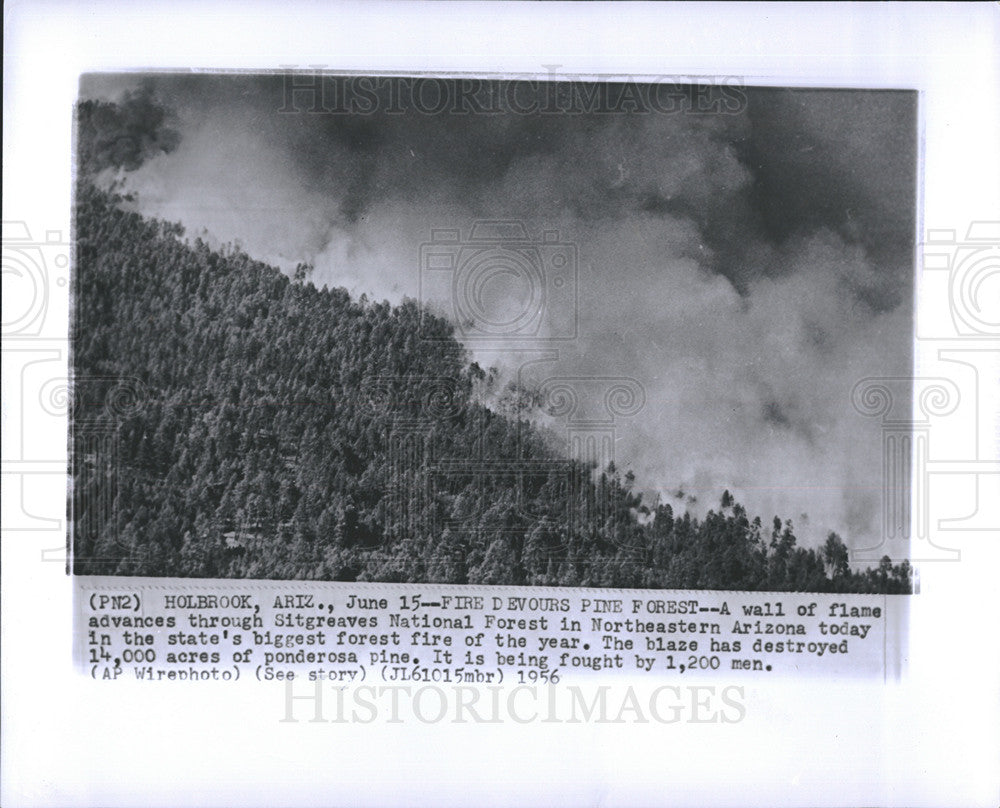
(232, 422)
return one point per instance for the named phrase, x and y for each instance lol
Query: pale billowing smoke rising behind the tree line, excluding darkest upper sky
(745, 389)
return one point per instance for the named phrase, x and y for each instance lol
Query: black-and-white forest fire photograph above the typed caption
(602, 332)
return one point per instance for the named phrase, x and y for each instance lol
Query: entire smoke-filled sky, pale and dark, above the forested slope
(745, 265)
